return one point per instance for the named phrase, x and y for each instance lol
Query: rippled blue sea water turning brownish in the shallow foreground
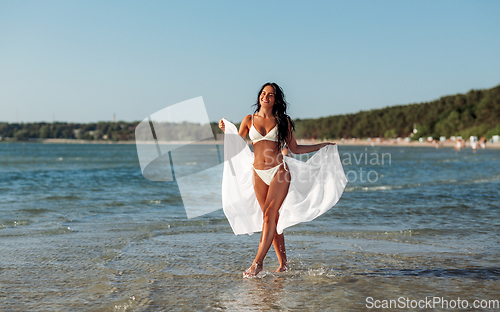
(81, 229)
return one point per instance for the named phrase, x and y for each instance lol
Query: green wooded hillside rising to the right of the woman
(475, 113)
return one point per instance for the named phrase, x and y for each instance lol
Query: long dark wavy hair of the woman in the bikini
(283, 121)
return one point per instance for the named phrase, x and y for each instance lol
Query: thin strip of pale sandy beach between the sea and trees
(357, 142)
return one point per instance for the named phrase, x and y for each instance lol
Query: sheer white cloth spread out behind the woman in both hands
(316, 186)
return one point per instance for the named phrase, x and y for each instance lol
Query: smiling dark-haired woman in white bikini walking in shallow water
(270, 129)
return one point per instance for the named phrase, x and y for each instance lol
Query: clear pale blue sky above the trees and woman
(83, 61)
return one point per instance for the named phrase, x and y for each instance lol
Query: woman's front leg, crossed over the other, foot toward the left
(276, 195)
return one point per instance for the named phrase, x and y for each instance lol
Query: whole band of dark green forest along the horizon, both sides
(474, 113)
